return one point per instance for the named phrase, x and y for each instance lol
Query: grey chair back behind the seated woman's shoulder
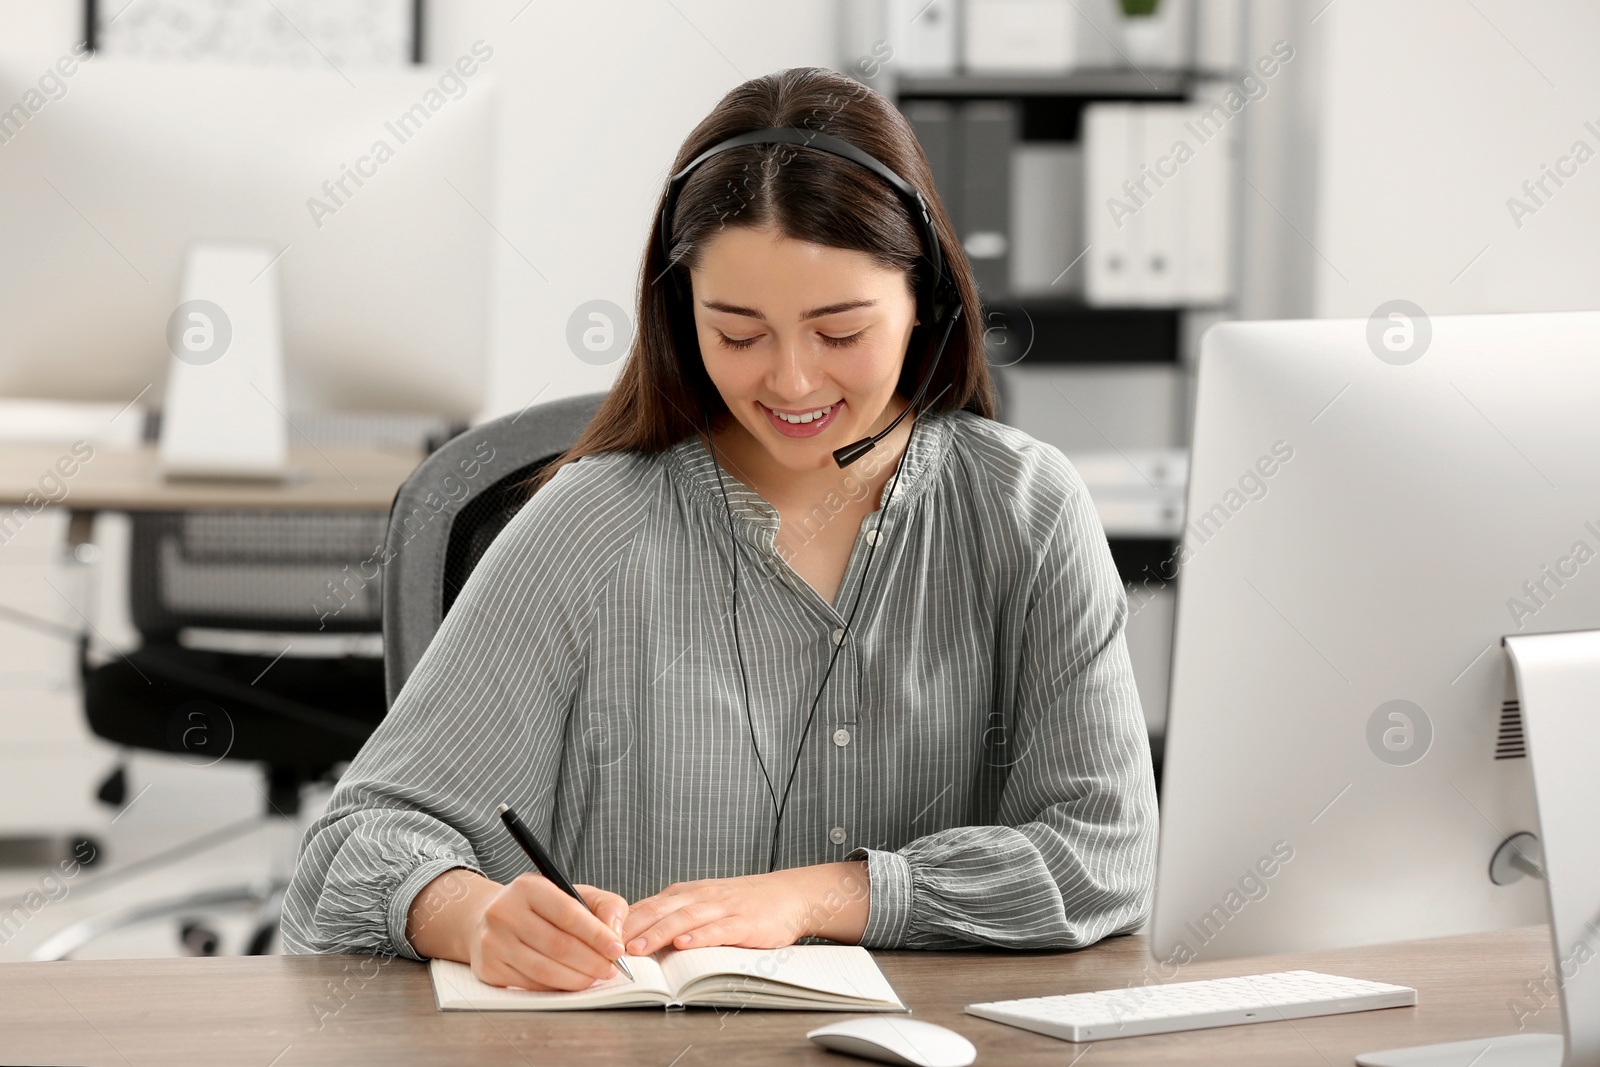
(449, 513)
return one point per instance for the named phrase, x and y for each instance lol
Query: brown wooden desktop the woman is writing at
(260, 1012)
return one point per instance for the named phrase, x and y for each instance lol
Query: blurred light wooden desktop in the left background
(329, 478)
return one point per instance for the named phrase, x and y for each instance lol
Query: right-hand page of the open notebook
(839, 970)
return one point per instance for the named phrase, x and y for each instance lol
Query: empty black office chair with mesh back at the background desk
(202, 581)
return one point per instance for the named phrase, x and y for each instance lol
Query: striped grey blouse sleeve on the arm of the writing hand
(478, 724)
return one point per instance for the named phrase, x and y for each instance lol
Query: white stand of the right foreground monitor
(1559, 692)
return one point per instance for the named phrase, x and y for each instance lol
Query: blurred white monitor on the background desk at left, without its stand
(385, 268)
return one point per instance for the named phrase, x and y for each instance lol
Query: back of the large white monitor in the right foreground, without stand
(1366, 522)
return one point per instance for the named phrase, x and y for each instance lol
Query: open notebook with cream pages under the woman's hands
(806, 978)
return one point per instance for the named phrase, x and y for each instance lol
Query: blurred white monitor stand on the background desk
(225, 414)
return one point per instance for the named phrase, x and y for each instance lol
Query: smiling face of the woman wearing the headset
(791, 327)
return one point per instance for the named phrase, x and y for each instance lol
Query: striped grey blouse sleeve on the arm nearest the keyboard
(1074, 855)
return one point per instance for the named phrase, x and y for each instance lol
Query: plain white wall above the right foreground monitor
(1434, 113)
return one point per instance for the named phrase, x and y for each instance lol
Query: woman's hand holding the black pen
(527, 933)
